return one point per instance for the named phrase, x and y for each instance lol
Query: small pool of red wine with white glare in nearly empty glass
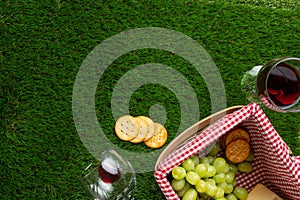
(109, 171)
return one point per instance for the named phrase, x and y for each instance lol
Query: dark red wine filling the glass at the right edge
(283, 85)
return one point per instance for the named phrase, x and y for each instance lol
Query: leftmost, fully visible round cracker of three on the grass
(126, 128)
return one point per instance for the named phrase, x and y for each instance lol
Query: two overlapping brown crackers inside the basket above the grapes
(237, 145)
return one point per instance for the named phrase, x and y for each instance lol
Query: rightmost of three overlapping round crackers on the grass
(159, 138)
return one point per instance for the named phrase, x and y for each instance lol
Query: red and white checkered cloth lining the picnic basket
(273, 165)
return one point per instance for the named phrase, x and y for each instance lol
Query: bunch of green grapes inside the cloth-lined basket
(208, 178)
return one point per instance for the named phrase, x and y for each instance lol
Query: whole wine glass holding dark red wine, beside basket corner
(275, 84)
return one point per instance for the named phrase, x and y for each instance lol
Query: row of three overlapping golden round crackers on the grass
(141, 129)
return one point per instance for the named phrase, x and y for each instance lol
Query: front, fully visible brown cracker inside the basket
(237, 151)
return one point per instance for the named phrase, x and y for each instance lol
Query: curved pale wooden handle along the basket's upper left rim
(191, 131)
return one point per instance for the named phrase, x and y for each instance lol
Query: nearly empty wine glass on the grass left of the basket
(111, 178)
